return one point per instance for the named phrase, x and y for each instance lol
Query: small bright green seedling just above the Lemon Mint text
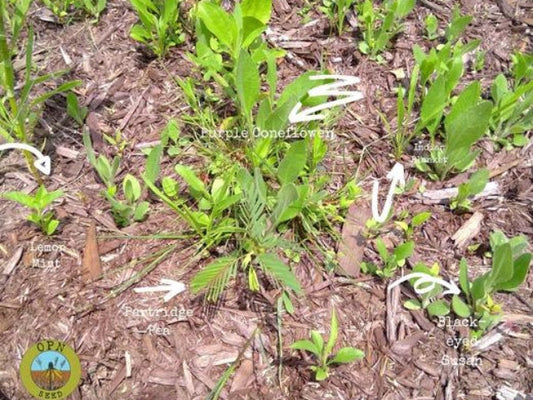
(38, 203)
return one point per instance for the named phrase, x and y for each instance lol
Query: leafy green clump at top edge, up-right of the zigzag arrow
(381, 25)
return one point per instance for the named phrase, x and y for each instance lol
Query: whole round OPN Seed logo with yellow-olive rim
(50, 369)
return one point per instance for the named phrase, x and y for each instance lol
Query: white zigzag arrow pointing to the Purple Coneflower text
(328, 89)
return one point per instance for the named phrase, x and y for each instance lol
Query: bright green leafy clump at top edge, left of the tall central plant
(159, 25)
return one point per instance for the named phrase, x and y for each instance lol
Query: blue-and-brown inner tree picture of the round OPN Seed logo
(50, 370)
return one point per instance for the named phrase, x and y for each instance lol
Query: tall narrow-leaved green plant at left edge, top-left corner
(20, 107)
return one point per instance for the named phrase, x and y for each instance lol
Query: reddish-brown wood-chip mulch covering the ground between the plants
(125, 90)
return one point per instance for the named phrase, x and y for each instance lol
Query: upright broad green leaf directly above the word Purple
(247, 82)
